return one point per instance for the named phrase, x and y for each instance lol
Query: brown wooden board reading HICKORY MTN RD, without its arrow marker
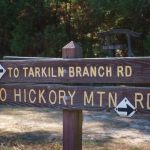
(74, 97)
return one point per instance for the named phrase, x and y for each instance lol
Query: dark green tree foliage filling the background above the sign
(43, 27)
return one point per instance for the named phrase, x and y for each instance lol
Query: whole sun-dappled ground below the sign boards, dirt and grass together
(41, 129)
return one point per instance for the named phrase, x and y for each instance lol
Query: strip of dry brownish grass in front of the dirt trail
(87, 145)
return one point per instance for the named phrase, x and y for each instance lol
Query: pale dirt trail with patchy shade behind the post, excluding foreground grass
(45, 124)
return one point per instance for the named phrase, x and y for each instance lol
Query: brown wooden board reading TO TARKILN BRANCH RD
(101, 70)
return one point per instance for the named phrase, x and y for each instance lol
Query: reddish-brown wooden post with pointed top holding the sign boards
(72, 119)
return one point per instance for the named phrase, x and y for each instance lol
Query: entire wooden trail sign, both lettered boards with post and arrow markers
(29, 83)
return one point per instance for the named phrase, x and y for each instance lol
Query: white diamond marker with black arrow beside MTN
(125, 108)
